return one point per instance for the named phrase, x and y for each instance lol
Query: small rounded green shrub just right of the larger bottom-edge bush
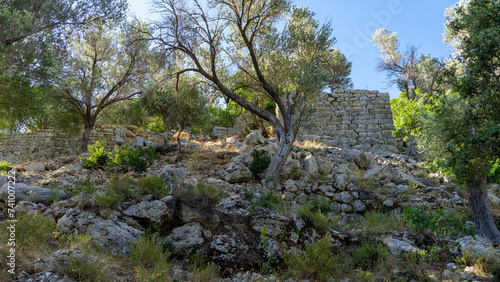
(369, 255)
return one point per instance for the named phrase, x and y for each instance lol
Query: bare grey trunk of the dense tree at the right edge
(483, 217)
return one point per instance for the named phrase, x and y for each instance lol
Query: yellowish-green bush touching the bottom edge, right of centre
(317, 262)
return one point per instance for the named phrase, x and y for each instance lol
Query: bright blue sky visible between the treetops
(417, 22)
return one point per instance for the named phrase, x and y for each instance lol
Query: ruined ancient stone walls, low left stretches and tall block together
(358, 119)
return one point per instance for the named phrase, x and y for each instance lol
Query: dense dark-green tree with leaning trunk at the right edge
(467, 124)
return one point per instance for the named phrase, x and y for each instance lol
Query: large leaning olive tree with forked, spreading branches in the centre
(230, 36)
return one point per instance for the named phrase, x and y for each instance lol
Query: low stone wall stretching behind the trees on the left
(49, 143)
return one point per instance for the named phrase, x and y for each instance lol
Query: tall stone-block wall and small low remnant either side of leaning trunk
(358, 119)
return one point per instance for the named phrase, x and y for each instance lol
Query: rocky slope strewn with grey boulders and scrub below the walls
(346, 199)
